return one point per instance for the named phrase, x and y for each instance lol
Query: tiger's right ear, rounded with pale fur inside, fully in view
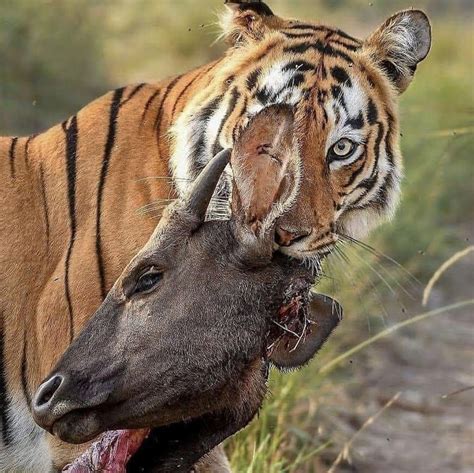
(400, 44)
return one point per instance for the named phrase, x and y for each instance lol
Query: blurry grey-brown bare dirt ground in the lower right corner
(424, 431)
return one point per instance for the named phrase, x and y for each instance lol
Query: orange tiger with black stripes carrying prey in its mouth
(70, 196)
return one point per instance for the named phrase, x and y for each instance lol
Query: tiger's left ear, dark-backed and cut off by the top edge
(245, 20)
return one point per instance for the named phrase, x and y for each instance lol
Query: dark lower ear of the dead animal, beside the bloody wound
(291, 351)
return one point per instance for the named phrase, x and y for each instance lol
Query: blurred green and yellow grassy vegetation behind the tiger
(58, 55)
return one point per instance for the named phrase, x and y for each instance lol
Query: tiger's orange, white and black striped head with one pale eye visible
(344, 95)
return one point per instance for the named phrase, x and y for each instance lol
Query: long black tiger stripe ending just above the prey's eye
(109, 144)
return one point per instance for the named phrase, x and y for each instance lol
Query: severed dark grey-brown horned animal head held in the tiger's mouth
(183, 341)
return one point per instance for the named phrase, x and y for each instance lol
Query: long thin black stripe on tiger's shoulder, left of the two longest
(71, 156)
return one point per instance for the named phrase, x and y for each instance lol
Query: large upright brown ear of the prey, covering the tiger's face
(265, 166)
